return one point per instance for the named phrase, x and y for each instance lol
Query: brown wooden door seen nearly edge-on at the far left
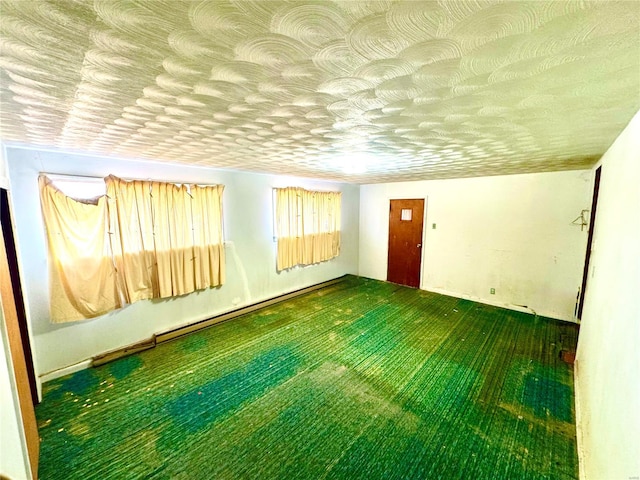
(19, 364)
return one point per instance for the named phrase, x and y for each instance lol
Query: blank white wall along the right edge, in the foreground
(608, 358)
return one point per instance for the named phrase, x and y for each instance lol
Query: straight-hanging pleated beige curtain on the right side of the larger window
(173, 243)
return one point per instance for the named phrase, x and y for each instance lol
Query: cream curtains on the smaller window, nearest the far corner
(307, 226)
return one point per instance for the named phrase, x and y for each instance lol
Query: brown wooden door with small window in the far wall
(405, 242)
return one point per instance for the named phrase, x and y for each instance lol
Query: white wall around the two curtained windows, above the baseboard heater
(251, 272)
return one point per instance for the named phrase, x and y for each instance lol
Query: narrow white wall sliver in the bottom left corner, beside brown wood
(14, 460)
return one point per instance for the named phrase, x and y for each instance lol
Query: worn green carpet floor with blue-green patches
(363, 379)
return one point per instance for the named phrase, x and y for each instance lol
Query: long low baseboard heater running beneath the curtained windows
(194, 327)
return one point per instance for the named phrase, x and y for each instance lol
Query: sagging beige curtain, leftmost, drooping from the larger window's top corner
(82, 275)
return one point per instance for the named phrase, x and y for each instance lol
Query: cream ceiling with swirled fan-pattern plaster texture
(362, 91)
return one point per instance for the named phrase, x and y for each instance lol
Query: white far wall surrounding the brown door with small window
(512, 233)
